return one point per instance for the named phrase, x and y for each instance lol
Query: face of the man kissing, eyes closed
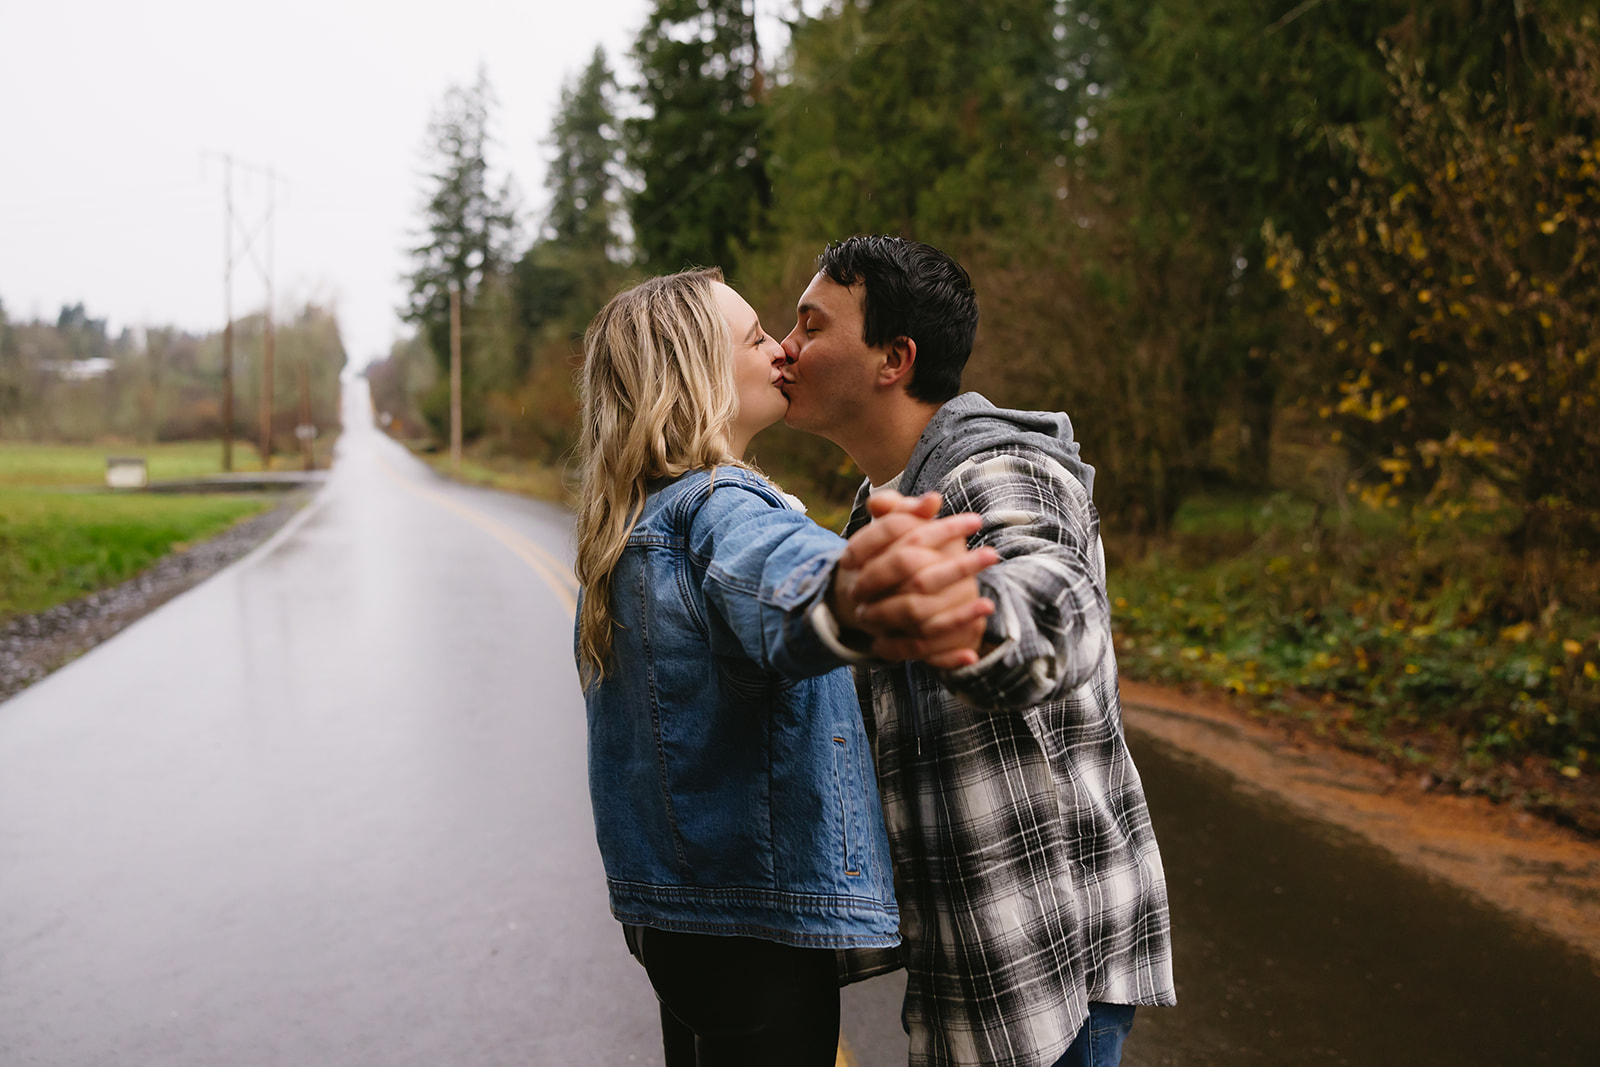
(831, 372)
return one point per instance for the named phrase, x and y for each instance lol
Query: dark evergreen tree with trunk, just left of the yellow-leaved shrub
(1220, 114)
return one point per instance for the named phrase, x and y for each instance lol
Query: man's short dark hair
(913, 290)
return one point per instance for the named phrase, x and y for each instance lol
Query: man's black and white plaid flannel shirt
(1025, 863)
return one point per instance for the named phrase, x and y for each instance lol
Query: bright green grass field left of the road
(58, 545)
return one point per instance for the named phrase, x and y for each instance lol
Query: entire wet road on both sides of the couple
(330, 809)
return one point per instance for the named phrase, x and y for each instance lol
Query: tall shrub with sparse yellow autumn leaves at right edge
(1454, 298)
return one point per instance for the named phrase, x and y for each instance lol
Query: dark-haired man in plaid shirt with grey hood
(1031, 890)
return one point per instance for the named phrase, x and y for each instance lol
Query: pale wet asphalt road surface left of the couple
(326, 809)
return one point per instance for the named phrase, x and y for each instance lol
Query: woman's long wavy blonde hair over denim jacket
(658, 401)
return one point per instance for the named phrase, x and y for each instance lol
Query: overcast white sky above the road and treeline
(108, 110)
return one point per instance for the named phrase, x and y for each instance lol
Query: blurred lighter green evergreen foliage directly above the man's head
(919, 118)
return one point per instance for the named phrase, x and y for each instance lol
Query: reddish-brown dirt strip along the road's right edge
(1538, 873)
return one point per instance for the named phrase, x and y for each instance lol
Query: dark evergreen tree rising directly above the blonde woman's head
(697, 156)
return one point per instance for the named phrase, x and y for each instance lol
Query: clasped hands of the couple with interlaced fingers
(906, 583)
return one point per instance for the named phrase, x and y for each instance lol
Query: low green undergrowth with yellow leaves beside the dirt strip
(1415, 650)
